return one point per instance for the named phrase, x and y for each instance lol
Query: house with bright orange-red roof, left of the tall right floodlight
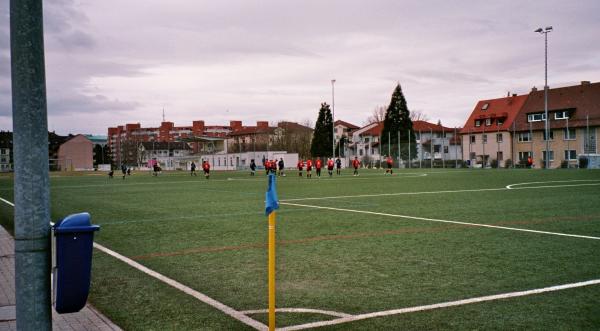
(487, 134)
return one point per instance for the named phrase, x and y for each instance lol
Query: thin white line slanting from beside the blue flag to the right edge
(441, 221)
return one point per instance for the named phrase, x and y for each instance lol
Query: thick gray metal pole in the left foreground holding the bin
(32, 193)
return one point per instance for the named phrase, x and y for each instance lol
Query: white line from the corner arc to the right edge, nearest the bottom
(441, 305)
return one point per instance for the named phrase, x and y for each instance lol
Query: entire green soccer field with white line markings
(422, 249)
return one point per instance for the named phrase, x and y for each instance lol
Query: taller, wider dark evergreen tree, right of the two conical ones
(397, 119)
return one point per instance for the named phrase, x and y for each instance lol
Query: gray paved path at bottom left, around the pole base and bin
(87, 319)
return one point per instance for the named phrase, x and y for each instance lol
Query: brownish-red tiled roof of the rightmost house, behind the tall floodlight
(580, 100)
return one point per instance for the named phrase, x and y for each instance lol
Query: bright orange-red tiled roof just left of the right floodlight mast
(503, 108)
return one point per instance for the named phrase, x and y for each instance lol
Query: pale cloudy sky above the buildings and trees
(112, 62)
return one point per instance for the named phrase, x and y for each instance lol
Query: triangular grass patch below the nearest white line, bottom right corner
(572, 309)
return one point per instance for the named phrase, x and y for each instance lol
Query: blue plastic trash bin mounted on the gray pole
(74, 238)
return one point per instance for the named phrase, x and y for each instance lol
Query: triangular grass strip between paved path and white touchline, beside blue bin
(136, 301)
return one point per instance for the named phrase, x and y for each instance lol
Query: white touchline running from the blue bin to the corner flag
(202, 297)
